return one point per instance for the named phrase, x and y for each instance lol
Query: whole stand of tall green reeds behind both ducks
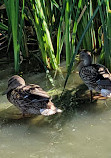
(67, 24)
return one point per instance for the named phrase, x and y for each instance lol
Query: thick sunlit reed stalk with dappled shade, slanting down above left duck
(39, 20)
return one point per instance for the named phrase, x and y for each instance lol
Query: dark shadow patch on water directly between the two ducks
(74, 98)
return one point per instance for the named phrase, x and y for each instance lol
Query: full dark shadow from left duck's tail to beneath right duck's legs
(77, 100)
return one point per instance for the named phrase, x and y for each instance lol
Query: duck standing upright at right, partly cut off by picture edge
(95, 76)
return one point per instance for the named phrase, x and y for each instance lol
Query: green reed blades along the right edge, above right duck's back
(106, 24)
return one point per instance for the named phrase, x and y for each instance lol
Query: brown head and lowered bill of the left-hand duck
(14, 82)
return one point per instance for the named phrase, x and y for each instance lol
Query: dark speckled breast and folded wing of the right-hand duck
(96, 75)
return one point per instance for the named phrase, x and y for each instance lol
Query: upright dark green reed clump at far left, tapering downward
(15, 21)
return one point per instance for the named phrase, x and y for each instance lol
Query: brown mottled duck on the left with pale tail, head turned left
(30, 99)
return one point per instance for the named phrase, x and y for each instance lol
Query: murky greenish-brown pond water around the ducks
(81, 131)
